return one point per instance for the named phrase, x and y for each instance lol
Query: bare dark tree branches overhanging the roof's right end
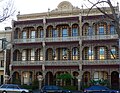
(114, 17)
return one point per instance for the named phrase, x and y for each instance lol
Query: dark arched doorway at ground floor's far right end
(115, 79)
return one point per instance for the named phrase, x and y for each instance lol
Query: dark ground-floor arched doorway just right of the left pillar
(49, 79)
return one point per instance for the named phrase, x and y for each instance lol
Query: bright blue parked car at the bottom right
(99, 89)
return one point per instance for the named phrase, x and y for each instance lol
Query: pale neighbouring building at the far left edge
(5, 55)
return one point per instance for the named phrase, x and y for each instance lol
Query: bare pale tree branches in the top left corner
(6, 9)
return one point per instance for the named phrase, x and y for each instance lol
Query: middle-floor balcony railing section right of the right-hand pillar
(101, 62)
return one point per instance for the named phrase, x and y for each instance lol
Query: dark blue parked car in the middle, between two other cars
(54, 89)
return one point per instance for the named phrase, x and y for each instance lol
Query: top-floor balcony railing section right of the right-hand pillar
(99, 37)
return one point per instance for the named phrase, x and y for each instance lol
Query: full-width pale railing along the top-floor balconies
(62, 39)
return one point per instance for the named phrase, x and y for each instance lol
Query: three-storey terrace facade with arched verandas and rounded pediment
(66, 41)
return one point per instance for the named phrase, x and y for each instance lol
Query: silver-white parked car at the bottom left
(13, 88)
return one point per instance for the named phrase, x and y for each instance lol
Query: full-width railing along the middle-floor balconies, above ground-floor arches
(66, 62)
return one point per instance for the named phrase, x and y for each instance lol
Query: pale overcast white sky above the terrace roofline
(38, 6)
